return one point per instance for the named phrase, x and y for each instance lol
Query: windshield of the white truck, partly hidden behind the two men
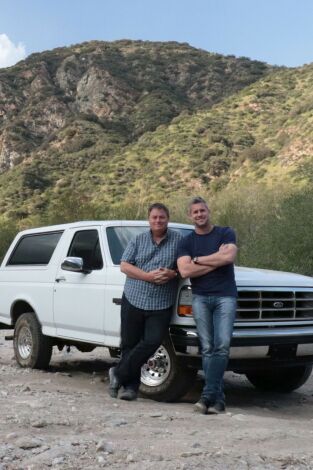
(118, 238)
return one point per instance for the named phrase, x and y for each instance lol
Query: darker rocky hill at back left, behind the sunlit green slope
(131, 86)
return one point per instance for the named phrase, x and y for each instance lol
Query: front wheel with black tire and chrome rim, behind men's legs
(164, 377)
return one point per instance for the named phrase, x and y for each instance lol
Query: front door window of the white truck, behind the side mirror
(86, 245)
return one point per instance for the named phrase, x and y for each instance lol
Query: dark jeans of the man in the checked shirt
(142, 332)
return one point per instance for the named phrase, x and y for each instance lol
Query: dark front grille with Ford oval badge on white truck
(274, 305)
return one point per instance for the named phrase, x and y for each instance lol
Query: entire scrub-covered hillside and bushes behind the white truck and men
(99, 130)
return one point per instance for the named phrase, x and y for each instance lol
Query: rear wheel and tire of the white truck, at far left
(31, 348)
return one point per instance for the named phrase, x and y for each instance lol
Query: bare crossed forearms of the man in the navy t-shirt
(205, 264)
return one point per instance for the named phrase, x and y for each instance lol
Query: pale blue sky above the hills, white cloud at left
(275, 31)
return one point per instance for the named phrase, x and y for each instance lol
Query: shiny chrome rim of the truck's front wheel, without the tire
(157, 368)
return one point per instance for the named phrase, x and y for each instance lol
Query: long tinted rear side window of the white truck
(35, 249)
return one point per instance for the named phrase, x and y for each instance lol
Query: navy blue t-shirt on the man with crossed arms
(221, 281)
